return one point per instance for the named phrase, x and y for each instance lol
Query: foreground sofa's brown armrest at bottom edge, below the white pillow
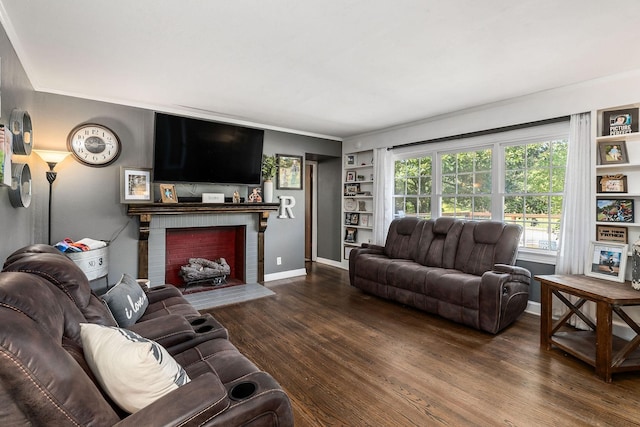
(201, 399)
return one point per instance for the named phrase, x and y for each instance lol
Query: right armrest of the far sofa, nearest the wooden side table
(504, 295)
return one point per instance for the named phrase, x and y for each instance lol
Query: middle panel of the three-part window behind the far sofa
(466, 184)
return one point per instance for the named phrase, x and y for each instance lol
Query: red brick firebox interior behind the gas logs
(210, 243)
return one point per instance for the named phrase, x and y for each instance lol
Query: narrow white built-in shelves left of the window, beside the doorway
(358, 200)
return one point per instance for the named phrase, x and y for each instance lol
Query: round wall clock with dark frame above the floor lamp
(94, 145)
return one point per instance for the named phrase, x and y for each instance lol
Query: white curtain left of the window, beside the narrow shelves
(383, 190)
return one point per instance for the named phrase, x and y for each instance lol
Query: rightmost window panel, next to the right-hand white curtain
(533, 186)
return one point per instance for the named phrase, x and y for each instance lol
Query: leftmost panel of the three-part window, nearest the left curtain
(412, 187)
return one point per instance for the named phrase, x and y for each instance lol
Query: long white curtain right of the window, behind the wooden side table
(575, 231)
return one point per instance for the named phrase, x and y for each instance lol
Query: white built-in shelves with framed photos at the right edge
(629, 168)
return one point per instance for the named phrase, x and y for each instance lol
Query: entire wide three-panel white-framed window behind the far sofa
(517, 177)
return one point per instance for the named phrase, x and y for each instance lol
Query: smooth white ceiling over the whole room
(323, 67)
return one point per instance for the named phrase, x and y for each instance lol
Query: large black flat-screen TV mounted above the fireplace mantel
(201, 151)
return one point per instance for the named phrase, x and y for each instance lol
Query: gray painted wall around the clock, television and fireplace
(86, 201)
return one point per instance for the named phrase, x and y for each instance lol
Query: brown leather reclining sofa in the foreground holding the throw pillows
(46, 379)
